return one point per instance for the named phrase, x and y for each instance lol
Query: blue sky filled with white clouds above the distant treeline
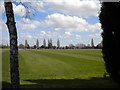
(70, 21)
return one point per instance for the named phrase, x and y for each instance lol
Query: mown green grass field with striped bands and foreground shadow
(83, 68)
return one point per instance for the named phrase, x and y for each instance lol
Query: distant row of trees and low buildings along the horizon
(50, 45)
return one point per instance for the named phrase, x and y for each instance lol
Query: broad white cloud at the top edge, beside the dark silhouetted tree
(82, 8)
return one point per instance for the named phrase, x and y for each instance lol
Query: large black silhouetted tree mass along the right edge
(110, 20)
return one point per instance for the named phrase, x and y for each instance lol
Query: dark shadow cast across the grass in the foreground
(68, 83)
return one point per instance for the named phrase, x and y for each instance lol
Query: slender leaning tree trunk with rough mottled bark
(14, 67)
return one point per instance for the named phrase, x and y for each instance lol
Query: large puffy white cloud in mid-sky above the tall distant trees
(69, 23)
